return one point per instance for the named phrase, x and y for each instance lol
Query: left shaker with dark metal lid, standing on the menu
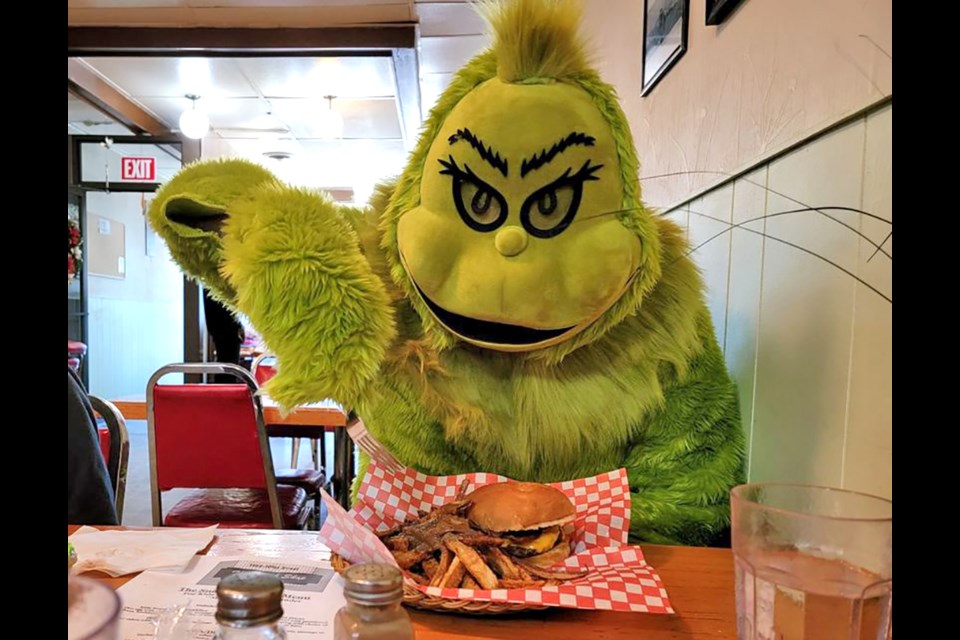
(249, 607)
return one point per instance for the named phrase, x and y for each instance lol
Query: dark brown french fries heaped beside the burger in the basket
(443, 549)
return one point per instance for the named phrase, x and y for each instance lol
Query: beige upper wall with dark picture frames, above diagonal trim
(774, 73)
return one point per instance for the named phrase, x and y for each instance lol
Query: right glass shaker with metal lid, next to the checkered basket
(374, 593)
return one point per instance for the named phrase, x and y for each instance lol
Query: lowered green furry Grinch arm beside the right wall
(688, 456)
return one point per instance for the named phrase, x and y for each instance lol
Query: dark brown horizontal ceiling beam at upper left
(204, 41)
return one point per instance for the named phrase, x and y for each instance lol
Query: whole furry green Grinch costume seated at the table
(507, 305)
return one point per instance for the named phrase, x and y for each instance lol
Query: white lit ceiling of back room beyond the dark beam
(244, 97)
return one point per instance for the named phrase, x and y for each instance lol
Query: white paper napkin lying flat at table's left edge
(118, 553)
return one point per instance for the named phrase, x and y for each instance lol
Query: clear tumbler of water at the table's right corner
(812, 563)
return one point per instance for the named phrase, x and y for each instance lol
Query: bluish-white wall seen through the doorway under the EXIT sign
(135, 324)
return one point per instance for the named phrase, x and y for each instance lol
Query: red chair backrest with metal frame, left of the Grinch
(209, 436)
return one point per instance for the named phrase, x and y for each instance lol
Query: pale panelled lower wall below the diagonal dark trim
(809, 346)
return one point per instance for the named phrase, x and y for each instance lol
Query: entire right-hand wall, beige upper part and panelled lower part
(809, 346)
